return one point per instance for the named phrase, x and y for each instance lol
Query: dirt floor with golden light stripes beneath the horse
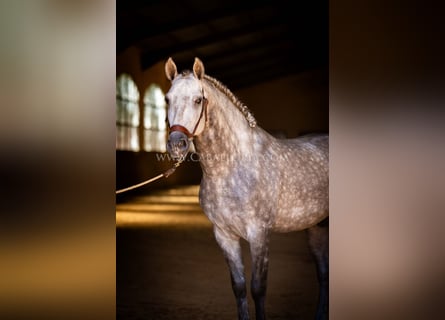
(170, 267)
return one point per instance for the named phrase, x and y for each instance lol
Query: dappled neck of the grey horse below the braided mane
(227, 136)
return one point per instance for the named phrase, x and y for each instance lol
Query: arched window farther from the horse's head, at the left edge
(127, 117)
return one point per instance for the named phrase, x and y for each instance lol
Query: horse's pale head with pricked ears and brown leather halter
(187, 107)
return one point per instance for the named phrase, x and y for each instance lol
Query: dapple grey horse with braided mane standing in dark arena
(253, 184)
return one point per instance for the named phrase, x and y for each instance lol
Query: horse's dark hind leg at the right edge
(319, 245)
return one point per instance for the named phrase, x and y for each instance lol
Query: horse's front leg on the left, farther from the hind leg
(231, 248)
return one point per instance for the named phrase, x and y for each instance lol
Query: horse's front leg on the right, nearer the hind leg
(259, 250)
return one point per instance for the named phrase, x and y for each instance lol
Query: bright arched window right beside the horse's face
(155, 114)
